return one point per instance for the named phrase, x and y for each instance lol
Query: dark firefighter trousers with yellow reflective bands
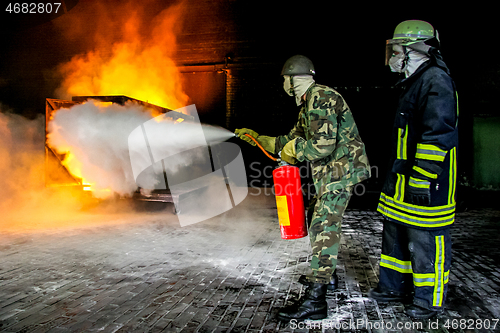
(416, 260)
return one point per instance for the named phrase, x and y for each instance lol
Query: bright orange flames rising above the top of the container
(138, 65)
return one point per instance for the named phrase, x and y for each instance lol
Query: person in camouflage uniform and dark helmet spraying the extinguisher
(327, 137)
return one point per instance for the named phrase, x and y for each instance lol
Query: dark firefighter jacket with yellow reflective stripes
(424, 149)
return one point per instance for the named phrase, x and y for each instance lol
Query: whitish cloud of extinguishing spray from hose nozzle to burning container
(97, 138)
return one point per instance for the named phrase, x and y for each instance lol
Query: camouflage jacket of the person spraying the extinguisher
(328, 138)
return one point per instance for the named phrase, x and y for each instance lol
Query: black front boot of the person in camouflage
(312, 305)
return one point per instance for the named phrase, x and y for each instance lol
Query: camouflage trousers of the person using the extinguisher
(324, 233)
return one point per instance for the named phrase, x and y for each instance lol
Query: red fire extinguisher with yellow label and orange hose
(289, 199)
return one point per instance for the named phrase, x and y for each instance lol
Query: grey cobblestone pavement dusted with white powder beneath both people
(142, 272)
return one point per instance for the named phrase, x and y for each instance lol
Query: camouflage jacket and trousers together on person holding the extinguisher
(328, 138)
